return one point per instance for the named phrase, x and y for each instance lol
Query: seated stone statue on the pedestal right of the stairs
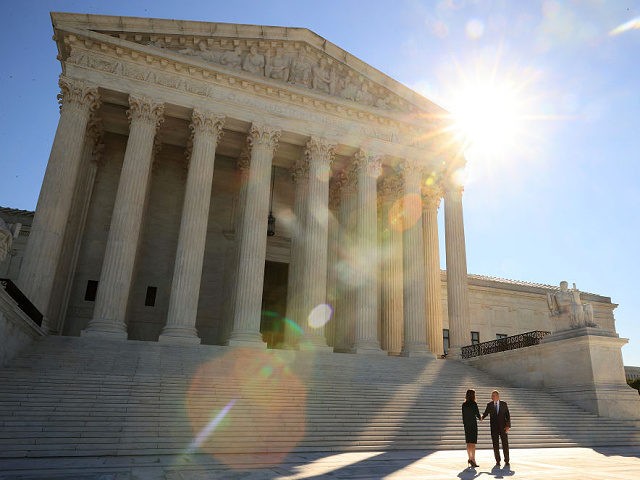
(568, 310)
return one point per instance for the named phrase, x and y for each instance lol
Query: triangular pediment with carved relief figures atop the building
(293, 57)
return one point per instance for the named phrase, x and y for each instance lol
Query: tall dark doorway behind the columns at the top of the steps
(274, 303)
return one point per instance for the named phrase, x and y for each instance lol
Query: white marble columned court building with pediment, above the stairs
(251, 185)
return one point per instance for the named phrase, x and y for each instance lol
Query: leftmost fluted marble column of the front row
(37, 273)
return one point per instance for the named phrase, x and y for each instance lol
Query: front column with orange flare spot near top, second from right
(415, 343)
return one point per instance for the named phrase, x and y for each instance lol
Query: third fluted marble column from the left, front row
(187, 274)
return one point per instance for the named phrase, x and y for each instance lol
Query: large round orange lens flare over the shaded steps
(257, 404)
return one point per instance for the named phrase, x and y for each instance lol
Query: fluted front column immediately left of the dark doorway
(253, 239)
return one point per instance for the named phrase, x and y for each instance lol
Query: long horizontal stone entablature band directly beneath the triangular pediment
(197, 75)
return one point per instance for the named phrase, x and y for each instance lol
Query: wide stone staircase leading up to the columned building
(70, 397)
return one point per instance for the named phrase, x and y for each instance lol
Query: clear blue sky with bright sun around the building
(550, 90)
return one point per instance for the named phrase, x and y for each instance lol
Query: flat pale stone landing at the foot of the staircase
(545, 464)
